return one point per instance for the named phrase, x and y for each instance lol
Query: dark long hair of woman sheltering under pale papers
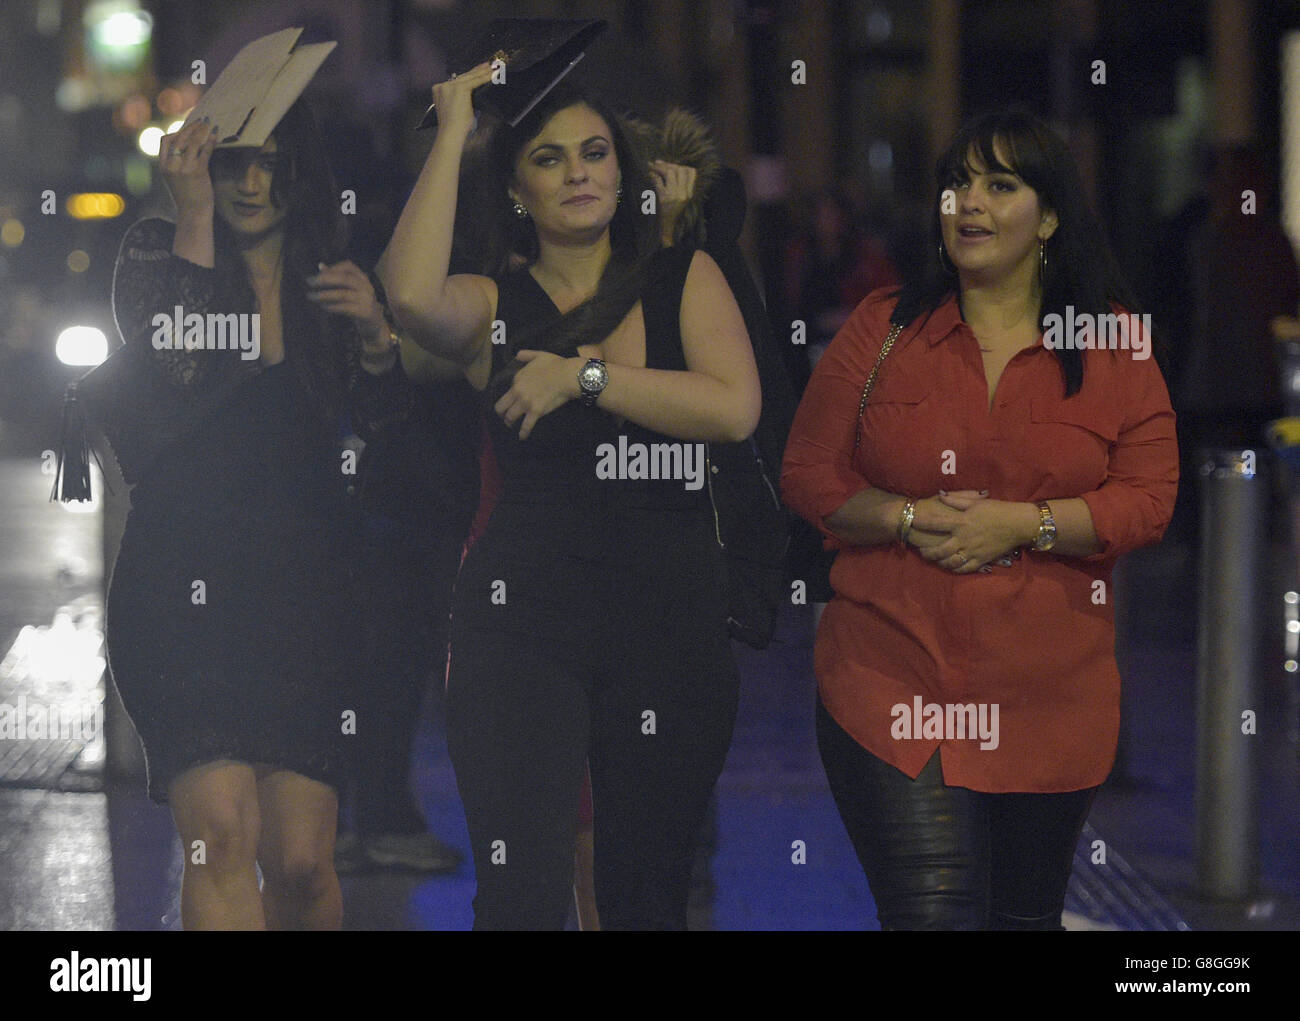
(315, 232)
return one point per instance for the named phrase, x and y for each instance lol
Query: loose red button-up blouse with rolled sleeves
(911, 657)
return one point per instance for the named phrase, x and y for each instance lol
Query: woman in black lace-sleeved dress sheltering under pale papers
(227, 626)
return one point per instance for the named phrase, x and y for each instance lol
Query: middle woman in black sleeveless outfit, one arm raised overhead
(590, 620)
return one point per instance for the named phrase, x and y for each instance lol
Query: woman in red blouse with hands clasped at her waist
(1019, 412)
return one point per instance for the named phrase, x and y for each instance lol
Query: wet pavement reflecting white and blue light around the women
(81, 850)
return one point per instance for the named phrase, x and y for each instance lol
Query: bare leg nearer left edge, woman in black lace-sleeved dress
(215, 807)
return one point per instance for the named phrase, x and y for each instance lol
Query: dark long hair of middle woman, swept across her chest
(634, 236)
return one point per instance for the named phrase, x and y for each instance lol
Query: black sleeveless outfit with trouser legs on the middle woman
(590, 628)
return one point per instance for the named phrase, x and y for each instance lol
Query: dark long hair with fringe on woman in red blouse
(1082, 271)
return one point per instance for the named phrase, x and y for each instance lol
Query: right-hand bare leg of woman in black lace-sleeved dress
(300, 820)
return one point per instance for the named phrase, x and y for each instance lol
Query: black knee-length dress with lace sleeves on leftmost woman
(228, 625)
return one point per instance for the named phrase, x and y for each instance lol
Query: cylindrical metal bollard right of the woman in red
(1233, 514)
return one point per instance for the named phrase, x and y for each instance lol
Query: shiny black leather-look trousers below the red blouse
(947, 858)
